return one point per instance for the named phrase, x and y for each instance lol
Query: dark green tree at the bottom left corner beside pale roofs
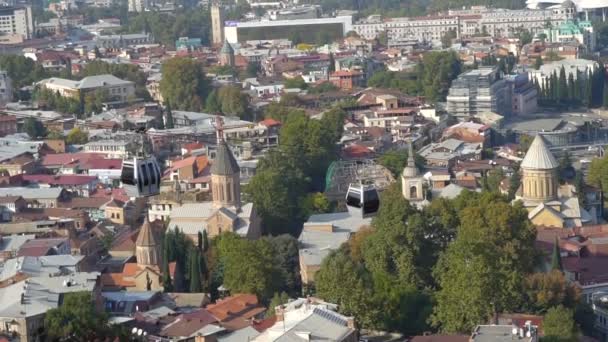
(77, 316)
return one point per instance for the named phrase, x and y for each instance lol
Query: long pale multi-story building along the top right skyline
(464, 23)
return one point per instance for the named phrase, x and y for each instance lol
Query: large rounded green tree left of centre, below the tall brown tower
(184, 83)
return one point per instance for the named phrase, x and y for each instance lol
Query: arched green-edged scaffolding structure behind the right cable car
(342, 173)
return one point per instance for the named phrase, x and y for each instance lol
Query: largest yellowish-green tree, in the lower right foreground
(482, 270)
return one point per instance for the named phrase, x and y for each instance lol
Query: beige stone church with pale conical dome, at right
(549, 204)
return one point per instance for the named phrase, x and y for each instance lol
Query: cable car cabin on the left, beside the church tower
(140, 177)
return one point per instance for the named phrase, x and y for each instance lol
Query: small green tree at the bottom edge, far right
(559, 325)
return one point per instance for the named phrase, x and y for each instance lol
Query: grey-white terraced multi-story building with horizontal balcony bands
(479, 91)
